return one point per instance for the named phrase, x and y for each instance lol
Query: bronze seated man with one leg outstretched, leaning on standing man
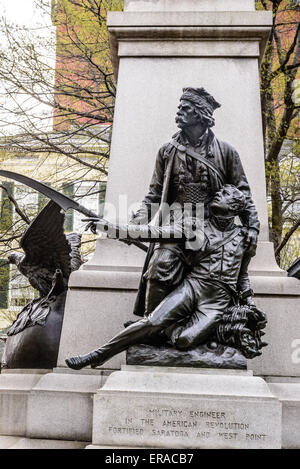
(190, 314)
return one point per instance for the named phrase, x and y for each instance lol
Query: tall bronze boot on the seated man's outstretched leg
(129, 336)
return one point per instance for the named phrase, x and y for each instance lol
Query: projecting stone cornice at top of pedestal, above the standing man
(167, 27)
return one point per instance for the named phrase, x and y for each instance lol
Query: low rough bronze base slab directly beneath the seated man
(202, 356)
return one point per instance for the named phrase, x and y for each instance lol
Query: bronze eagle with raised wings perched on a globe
(49, 257)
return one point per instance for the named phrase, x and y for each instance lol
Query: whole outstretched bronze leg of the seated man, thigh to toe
(174, 308)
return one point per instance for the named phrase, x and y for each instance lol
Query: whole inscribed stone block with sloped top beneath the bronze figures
(182, 408)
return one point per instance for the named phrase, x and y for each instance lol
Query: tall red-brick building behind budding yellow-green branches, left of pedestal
(84, 82)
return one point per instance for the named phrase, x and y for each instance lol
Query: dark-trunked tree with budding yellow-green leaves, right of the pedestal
(280, 113)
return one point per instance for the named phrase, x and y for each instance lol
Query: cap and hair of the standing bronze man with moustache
(205, 104)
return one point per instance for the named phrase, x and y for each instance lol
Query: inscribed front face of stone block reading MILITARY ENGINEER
(186, 420)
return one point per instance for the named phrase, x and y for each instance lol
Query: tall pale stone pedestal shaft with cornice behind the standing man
(156, 54)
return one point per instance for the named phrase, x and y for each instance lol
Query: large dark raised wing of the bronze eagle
(45, 244)
